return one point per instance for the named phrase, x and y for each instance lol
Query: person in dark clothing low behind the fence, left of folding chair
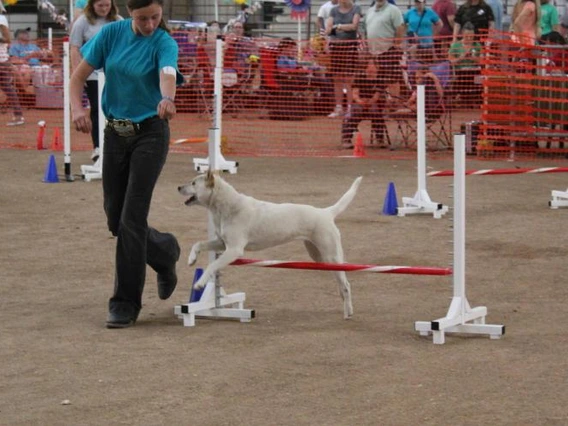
(368, 104)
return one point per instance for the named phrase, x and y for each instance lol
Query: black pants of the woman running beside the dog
(131, 167)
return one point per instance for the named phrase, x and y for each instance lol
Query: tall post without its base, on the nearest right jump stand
(459, 219)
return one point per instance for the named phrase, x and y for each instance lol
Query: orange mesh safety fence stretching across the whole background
(284, 97)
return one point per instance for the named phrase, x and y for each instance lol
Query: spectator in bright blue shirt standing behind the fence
(422, 25)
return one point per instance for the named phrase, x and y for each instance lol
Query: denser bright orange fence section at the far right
(525, 102)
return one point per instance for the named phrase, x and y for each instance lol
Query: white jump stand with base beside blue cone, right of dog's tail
(421, 202)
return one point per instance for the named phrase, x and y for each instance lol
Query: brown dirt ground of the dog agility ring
(298, 362)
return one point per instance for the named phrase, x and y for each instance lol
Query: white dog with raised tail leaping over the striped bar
(244, 223)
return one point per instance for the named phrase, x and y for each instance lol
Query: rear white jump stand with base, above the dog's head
(216, 161)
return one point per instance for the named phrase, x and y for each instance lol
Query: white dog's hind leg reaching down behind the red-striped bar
(330, 250)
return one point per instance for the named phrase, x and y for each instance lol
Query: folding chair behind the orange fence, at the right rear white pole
(438, 117)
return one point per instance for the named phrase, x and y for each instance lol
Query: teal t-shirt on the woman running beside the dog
(132, 64)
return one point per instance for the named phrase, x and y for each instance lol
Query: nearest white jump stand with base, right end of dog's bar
(460, 315)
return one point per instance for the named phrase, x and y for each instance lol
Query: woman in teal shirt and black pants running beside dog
(139, 59)
